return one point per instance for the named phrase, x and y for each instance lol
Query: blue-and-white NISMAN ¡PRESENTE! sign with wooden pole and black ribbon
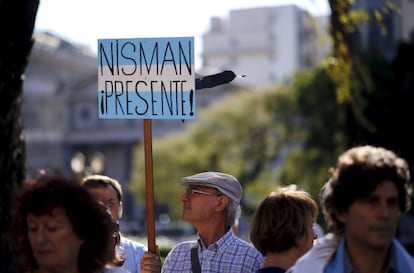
(111, 106)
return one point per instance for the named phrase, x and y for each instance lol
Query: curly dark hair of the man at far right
(357, 174)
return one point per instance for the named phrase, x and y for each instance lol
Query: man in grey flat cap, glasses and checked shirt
(211, 202)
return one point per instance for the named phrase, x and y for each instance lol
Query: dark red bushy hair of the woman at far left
(89, 219)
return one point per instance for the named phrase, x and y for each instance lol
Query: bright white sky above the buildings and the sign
(85, 21)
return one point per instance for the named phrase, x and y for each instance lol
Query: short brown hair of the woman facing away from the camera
(281, 220)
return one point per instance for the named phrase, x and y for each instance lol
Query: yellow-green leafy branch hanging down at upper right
(345, 66)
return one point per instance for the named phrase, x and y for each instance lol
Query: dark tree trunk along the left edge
(17, 24)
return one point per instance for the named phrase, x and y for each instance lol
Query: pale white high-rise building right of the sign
(262, 43)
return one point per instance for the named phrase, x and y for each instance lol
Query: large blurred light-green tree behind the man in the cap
(281, 136)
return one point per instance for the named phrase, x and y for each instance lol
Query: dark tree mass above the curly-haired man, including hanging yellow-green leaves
(373, 96)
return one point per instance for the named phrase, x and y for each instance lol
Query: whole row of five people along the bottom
(60, 225)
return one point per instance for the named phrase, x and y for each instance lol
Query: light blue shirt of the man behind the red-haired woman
(132, 252)
